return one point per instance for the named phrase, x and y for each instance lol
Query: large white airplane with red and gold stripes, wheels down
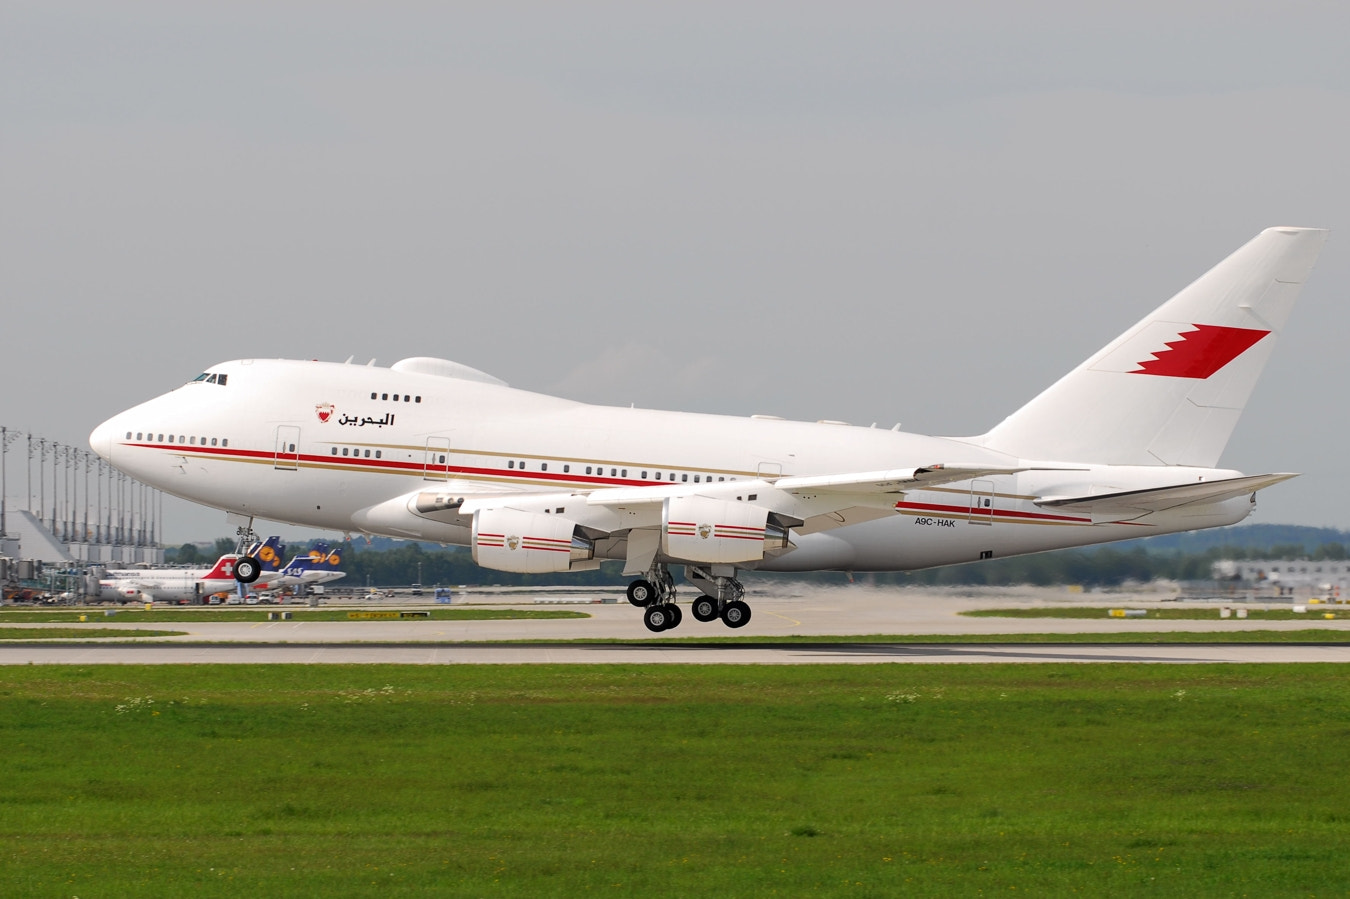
(1121, 447)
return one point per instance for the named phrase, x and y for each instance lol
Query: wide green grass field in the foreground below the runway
(871, 781)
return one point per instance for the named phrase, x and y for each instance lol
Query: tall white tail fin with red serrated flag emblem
(1170, 391)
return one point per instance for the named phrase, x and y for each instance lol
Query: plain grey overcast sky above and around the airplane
(873, 213)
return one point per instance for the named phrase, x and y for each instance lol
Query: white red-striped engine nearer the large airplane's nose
(530, 543)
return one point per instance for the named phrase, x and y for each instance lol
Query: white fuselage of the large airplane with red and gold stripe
(326, 445)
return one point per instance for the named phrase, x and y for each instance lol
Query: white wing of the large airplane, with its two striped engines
(709, 523)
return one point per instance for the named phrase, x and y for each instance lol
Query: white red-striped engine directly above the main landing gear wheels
(716, 531)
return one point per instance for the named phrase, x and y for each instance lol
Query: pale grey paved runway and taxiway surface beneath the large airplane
(793, 614)
